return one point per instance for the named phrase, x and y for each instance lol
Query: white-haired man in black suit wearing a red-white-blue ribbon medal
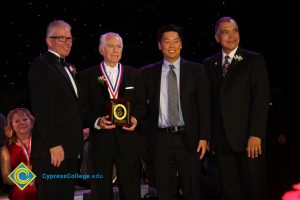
(110, 143)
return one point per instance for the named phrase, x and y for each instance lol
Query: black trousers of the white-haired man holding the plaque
(103, 154)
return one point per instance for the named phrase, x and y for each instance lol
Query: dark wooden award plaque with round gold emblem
(119, 111)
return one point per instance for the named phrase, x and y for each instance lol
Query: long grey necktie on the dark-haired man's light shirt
(173, 101)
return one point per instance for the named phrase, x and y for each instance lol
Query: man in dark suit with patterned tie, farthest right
(240, 93)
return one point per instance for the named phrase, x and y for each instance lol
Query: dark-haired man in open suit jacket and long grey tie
(178, 147)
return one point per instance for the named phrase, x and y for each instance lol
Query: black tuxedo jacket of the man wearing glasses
(55, 107)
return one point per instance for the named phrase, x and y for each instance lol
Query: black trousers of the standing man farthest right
(241, 177)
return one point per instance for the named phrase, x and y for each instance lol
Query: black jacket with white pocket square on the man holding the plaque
(95, 99)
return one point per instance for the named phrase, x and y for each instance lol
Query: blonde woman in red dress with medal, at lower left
(16, 150)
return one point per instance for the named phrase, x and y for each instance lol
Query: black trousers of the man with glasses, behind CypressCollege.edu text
(60, 187)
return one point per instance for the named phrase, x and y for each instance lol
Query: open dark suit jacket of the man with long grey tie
(194, 98)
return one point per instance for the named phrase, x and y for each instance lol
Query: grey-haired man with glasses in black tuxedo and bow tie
(57, 136)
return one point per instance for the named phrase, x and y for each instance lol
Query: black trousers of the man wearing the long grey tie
(174, 166)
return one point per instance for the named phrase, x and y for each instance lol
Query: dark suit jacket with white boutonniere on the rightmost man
(241, 99)
